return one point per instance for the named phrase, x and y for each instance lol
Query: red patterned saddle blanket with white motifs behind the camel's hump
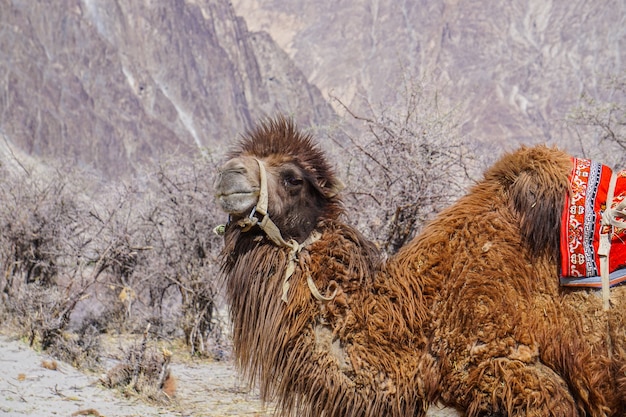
(581, 226)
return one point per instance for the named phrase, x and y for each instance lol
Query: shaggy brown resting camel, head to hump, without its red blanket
(469, 314)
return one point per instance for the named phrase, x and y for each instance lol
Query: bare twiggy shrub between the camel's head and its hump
(405, 164)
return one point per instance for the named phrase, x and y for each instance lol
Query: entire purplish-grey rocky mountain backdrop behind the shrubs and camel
(113, 84)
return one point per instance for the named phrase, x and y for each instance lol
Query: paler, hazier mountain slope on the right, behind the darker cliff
(512, 69)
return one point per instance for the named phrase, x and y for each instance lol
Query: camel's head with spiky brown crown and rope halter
(277, 172)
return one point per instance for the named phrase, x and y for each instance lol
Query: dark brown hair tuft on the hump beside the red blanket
(538, 201)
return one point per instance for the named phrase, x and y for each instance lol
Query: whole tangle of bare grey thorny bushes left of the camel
(76, 263)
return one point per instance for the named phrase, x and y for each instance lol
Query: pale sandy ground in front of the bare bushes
(204, 388)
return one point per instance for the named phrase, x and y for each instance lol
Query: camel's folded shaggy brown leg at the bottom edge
(512, 388)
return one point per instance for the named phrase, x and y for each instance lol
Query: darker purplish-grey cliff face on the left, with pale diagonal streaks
(114, 84)
